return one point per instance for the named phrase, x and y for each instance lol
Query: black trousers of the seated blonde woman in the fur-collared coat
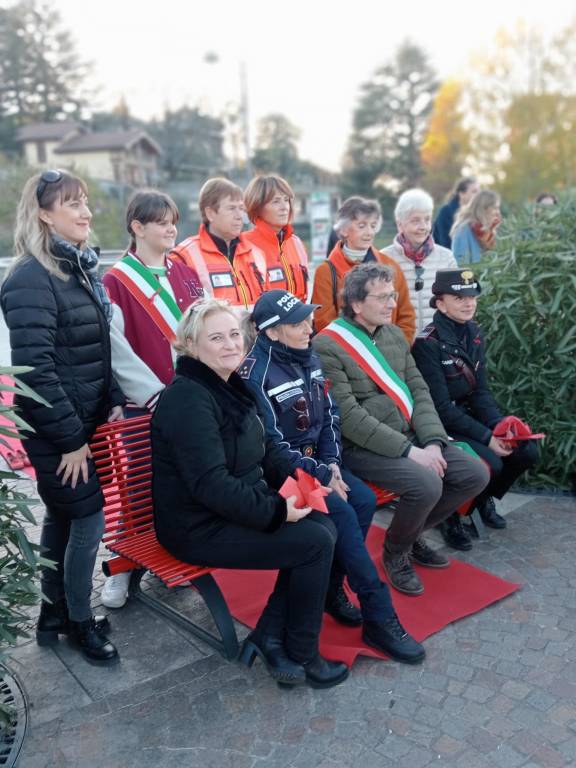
(303, 553)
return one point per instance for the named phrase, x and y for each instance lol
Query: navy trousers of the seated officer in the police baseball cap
(352, 519)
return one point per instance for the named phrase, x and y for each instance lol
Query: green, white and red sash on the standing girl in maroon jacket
(154, 299)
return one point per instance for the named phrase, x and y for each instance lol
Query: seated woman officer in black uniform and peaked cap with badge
(450, 355)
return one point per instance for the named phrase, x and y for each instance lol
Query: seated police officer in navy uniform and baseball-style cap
(285, 375)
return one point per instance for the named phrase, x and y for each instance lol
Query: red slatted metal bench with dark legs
(122, 454)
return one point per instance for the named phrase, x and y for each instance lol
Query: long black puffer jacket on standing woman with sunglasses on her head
(59, 328)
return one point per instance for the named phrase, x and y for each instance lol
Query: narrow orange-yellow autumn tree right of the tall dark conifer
(447, 143)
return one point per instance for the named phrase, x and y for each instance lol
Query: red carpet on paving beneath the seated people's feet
(451, 593)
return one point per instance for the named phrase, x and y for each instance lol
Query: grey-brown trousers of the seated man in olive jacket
(426, 499)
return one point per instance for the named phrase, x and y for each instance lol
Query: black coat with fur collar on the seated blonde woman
(212, 465)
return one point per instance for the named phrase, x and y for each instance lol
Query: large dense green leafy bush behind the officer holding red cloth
(528, 312)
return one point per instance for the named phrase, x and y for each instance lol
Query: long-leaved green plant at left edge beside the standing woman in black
(20, 559)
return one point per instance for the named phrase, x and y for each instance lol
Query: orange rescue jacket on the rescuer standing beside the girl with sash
(240, 282)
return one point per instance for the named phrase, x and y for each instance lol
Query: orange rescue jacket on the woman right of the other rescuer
(286, 261)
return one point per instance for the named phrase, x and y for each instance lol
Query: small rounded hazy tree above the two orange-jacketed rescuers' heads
(276, 146)
